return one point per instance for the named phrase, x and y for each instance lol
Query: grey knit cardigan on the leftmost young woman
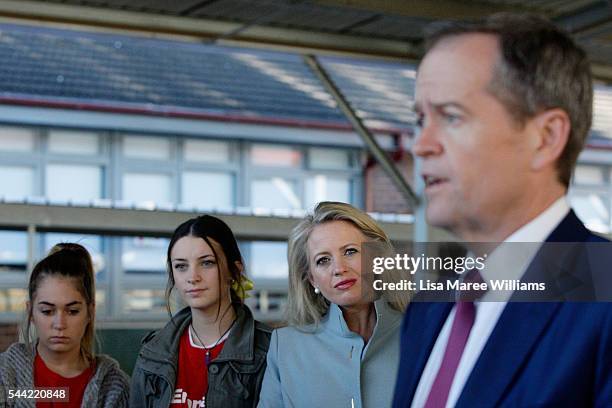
(109, 386)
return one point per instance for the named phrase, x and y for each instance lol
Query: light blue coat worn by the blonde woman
(332, 367)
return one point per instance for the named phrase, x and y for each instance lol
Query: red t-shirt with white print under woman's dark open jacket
(192, 378)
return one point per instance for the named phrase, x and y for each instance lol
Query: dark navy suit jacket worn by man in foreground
(545, 354)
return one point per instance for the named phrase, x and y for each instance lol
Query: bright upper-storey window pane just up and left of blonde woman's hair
(274, 193)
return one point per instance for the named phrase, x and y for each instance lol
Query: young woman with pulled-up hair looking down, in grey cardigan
(61, 307)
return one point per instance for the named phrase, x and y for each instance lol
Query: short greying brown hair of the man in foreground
(541, 68)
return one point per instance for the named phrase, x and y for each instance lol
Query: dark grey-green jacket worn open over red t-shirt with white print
(234, 377)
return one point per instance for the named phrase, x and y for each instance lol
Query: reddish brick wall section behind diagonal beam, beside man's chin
(381, 195)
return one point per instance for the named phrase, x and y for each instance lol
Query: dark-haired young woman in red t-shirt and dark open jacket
(212, 353)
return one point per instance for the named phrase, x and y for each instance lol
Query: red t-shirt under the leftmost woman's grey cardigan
(44, 377)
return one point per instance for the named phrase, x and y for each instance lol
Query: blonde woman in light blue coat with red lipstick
(341, 348)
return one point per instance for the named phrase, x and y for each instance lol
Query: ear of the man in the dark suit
(552, 128)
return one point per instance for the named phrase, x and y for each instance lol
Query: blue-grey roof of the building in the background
(64, 65)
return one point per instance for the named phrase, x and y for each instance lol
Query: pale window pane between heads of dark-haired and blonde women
(268, 260)
